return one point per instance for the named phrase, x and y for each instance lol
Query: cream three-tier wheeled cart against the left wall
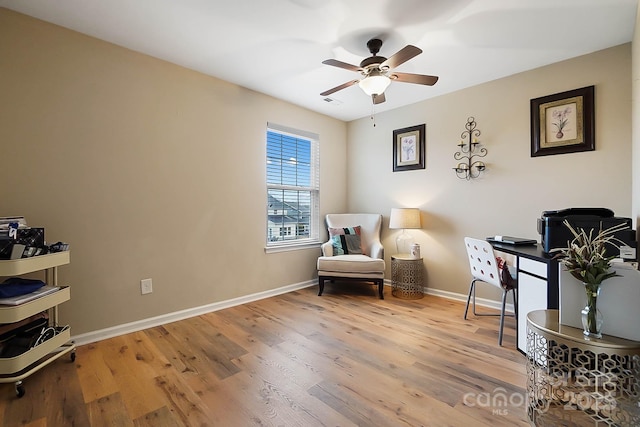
(15, 369)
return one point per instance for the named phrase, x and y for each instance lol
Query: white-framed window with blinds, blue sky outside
(292, 187)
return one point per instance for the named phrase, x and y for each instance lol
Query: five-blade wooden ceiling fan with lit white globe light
(377, 71)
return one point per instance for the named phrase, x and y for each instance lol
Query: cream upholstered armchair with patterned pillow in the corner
(349, 255)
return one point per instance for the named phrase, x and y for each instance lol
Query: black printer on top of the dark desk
(556, 235)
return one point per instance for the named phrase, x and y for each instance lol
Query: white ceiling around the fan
(276, 46)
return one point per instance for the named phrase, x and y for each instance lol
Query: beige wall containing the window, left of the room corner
(148, 170)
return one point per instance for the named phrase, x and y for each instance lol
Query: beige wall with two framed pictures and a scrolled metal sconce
(516, 188)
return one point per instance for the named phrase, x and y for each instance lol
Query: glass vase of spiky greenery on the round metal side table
(585, 259)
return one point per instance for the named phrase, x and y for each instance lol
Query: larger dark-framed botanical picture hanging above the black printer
(563, 122)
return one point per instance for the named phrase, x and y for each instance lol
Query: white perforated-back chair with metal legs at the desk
(484, 268)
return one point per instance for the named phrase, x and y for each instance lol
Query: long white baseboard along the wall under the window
(151, 322)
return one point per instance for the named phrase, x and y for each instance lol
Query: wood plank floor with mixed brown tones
(343, 359)
